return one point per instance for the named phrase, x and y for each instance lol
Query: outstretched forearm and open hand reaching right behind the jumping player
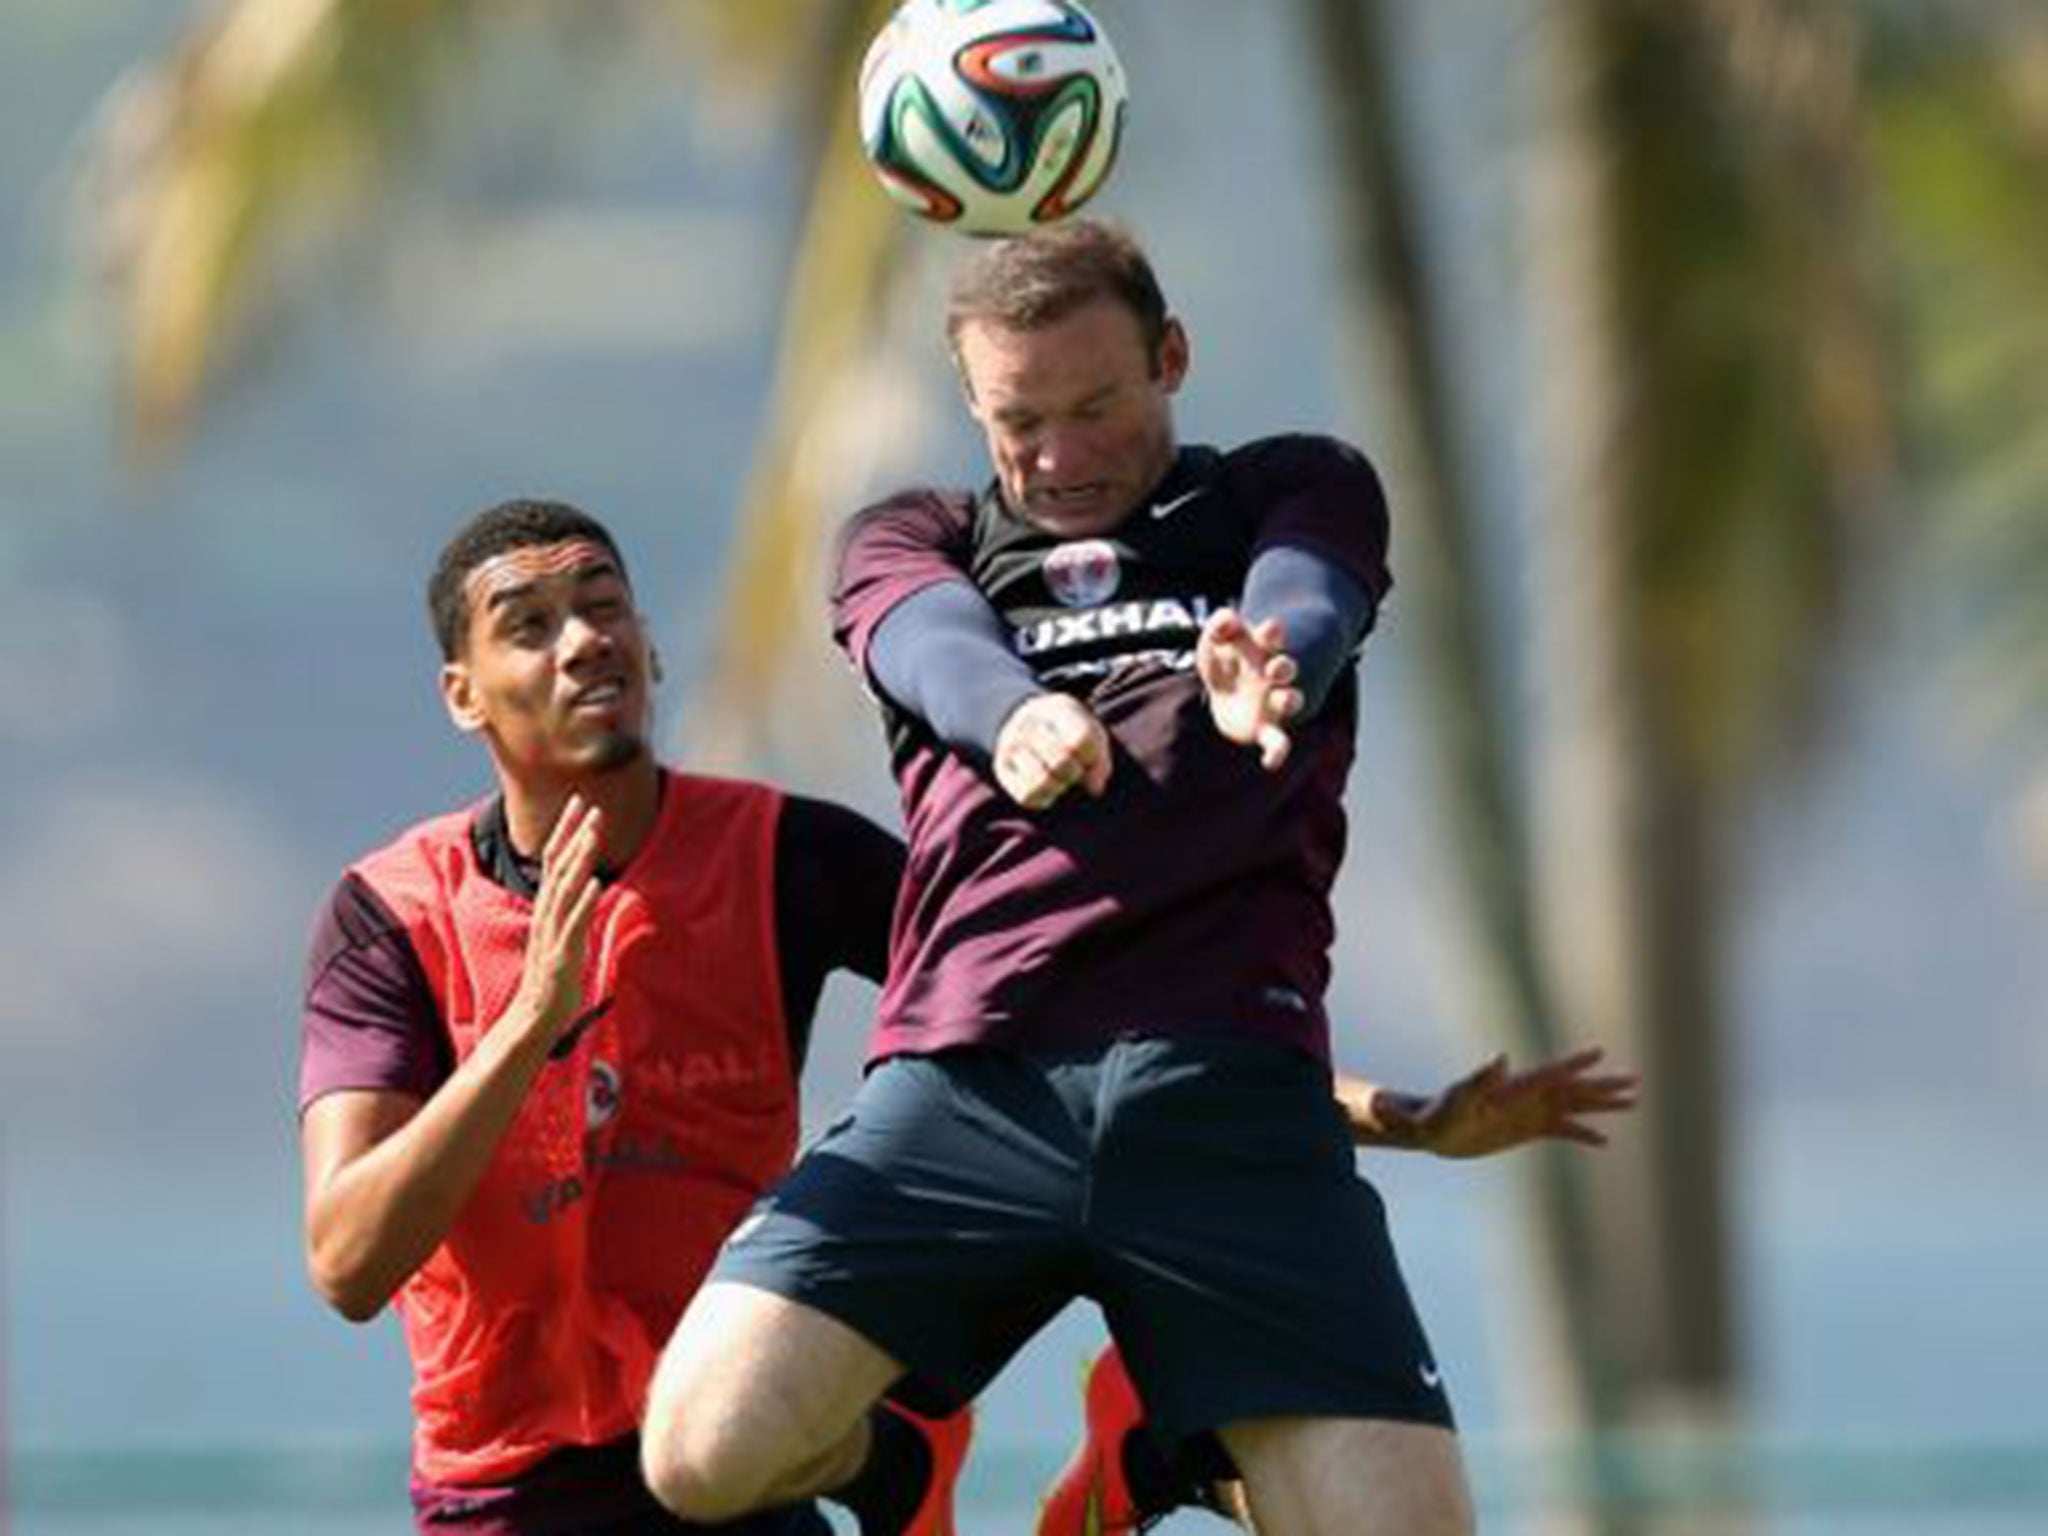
(1494, 1109)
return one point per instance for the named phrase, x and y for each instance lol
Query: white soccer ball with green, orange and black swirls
(992, 116)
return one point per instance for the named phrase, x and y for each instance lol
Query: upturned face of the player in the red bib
(556, 665)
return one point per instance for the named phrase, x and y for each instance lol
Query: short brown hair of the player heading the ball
(1041, 278)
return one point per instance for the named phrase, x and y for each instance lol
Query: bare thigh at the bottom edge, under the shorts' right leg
(1351, 1478)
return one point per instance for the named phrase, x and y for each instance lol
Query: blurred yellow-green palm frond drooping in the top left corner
(263, 138)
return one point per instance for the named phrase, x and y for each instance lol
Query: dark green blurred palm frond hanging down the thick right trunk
(1758, 353)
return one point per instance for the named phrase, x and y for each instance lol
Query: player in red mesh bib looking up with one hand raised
(552, 1056)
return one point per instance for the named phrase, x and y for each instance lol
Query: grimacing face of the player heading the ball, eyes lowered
(1078, 415)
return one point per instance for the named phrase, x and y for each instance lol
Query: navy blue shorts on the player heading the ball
(1203, 1191)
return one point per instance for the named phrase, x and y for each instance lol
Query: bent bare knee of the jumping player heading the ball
(757, 1402)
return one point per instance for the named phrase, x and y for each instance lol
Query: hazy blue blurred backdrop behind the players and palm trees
(216, 687)
